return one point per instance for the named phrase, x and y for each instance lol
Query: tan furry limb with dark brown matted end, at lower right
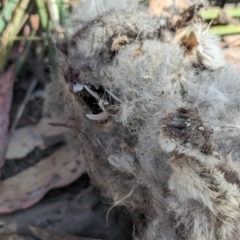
(204, 198)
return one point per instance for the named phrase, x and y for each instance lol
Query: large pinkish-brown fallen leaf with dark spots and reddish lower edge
(28, 187)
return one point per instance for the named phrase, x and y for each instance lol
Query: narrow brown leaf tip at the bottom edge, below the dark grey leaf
(45, 234)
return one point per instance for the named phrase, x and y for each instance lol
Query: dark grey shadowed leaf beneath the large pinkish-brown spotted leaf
(78, 211)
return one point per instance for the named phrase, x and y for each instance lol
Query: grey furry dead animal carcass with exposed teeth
(173, 174)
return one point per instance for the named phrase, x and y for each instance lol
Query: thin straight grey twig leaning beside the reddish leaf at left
(17, 118)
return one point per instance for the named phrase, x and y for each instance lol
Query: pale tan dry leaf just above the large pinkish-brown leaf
(40, 135)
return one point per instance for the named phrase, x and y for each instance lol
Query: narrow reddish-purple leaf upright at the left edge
(6, 87)
